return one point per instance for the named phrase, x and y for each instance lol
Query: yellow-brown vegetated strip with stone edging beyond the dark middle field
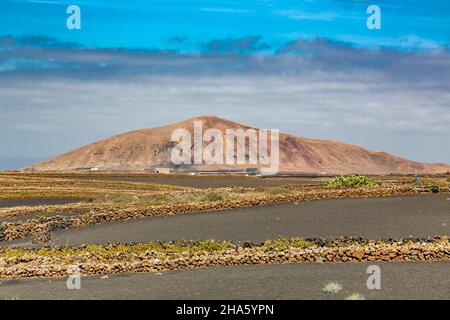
(103, 201)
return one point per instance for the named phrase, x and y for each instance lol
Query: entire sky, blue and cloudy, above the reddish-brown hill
(310, 68)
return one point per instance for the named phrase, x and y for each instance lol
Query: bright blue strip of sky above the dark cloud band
(186, 25)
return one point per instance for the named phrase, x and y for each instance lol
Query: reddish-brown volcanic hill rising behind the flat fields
(149, 148)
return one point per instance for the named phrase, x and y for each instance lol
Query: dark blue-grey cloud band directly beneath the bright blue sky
(220, 56)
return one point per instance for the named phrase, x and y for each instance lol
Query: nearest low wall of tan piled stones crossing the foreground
(31, 264)
